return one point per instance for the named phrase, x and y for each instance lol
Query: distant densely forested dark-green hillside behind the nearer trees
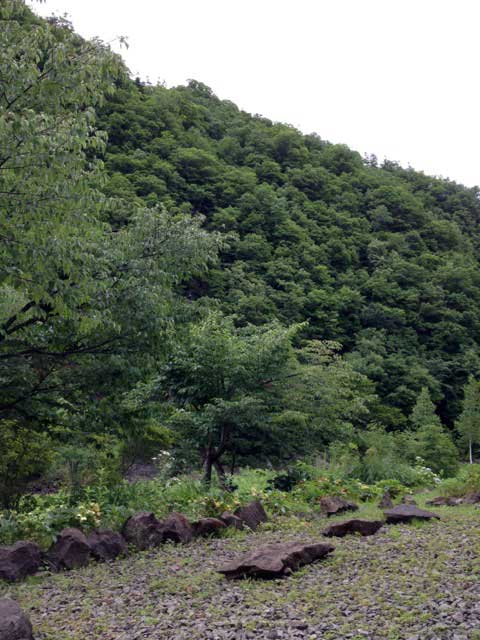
(382, 259)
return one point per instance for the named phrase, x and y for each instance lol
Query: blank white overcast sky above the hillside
(398, 78)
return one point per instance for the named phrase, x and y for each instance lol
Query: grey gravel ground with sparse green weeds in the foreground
(416, 582)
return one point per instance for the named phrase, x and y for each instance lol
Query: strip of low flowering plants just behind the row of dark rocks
(41, 518)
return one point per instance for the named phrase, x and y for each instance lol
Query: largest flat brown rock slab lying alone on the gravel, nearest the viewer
(275, 560)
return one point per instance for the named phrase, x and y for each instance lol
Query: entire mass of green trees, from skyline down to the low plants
(177, 273)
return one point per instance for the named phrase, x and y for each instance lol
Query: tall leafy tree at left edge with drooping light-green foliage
(86, 309)
